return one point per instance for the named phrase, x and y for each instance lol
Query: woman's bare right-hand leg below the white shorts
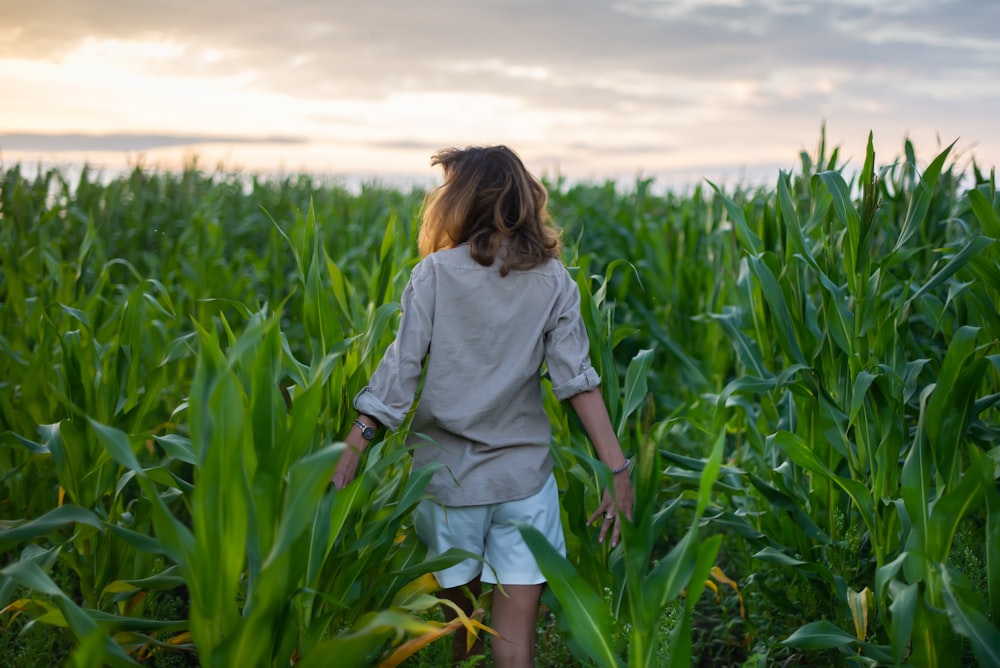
(515, 617)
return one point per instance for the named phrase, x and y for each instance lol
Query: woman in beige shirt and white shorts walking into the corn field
(488, 303)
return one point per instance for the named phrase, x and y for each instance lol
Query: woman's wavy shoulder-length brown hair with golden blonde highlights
(490, 201)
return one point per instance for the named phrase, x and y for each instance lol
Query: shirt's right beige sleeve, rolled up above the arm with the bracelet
(567, 348)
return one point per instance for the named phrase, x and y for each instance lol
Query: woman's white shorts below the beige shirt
(489, 530)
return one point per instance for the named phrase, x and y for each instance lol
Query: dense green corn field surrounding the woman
(807, 374)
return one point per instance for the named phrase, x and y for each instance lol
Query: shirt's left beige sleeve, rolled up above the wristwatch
(391, 389)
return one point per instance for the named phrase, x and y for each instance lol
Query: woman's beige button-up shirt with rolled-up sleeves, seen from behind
(483, 337)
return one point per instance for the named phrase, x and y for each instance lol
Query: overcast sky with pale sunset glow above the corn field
(584, 88)
